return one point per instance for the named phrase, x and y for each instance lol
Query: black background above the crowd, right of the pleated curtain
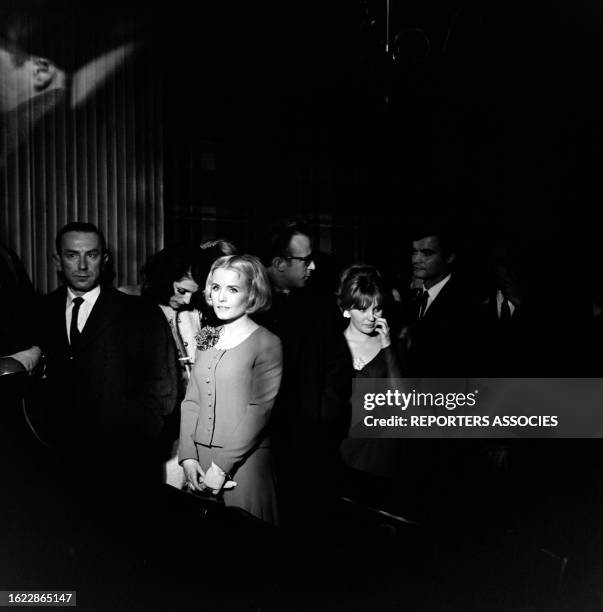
(297, 108)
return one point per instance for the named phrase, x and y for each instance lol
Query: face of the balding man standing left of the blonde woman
(81, 261)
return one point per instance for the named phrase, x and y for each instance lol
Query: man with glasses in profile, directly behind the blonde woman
(298, 317)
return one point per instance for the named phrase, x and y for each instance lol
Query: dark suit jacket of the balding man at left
(111, 393)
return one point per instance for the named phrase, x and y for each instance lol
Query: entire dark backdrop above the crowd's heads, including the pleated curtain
(229, 116)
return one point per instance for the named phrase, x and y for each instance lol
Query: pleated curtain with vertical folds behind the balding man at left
(100, 161)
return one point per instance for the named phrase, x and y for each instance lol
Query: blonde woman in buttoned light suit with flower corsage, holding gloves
(224, 446)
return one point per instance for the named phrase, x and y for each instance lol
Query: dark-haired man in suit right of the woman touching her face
(443, 344)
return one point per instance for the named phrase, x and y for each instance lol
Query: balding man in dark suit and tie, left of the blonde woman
(110, 363)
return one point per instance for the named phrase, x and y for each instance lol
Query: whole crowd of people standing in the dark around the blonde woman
(222, 369)
